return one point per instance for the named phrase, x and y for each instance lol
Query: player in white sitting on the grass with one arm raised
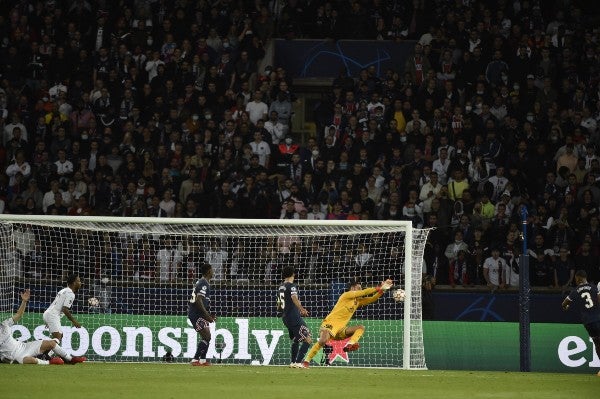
(12, 350)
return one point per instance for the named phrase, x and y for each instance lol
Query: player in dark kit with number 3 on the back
(587, 300)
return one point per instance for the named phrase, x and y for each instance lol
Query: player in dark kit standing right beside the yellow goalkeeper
(291, 311)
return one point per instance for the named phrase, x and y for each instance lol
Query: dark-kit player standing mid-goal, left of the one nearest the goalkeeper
(199, 316)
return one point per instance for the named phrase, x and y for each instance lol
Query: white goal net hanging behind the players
(138, 274)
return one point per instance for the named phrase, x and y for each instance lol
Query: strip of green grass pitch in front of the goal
(156, 380)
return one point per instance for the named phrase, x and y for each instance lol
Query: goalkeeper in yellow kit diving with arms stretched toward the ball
(334, 326)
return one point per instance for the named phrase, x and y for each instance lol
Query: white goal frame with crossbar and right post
(402, 226)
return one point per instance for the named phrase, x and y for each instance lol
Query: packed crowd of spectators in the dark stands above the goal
(159, 108)
